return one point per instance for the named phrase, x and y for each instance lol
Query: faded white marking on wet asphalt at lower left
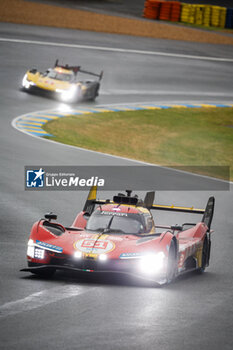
(41, 299)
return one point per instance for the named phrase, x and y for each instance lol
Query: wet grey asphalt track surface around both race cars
(74, 312)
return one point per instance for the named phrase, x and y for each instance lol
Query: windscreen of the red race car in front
(115, 222)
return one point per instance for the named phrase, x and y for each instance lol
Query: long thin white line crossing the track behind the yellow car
(113, 49)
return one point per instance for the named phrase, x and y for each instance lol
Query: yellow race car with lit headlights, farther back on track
(62, 82)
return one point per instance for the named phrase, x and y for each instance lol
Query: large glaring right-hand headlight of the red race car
(152, 263)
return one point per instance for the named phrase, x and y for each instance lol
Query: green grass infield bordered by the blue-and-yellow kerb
(171, 137)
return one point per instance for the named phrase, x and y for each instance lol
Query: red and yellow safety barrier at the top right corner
(175, 11)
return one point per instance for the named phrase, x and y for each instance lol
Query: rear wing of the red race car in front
(91, 201)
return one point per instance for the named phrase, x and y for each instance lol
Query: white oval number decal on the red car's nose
(93, 246)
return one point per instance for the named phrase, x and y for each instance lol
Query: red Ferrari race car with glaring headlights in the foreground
(120, 236)
